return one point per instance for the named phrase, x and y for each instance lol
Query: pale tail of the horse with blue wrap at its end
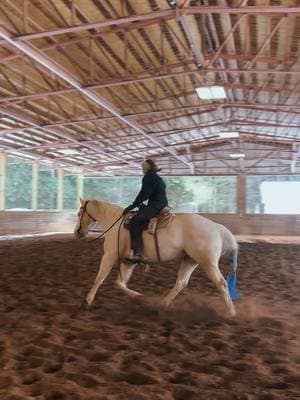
(229, 244)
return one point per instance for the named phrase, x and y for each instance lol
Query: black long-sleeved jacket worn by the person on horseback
(154, 190)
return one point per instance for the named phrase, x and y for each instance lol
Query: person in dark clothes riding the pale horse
(154, 190)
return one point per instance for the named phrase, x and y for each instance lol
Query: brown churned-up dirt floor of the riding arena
(122, 348)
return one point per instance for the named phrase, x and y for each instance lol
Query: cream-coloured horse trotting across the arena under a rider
(189, 238)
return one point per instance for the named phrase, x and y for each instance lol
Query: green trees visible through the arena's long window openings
(206, 194)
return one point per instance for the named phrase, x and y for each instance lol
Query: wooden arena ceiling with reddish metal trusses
(115, 82)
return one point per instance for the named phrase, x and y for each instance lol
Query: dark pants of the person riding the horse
(137, 225)
